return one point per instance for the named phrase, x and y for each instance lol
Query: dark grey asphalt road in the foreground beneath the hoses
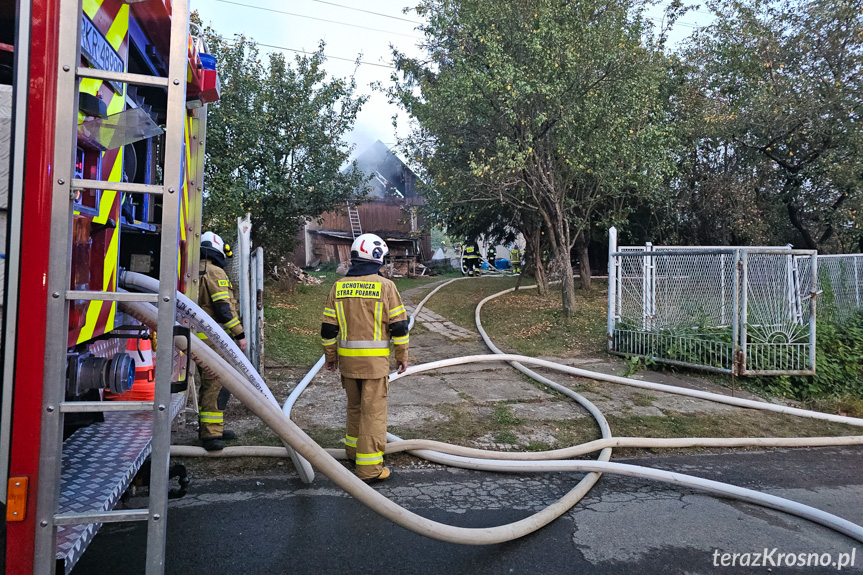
(278, 525)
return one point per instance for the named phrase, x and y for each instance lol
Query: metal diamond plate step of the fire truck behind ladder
(99, 463)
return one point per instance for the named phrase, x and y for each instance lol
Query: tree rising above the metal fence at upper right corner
(779, 86)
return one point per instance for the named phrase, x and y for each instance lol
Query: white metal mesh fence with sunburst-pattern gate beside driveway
(736, 310)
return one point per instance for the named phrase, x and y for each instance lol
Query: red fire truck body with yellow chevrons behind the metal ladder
(110, 229)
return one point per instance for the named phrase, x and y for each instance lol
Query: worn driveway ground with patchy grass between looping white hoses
(491, 405)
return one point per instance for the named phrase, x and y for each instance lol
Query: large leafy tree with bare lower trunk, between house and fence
(541, 106)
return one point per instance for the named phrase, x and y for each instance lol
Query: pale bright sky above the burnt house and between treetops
(351, 28)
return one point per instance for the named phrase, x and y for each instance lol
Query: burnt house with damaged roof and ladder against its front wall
(386, 205)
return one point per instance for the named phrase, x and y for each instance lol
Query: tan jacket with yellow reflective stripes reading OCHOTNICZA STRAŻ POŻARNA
(361, 314)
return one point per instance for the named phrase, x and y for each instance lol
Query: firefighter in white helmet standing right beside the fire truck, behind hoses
(216, 297)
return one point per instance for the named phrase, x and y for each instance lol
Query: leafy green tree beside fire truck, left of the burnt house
(275, 144)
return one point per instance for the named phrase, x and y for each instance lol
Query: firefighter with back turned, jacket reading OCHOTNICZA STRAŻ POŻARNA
(362, 312)
